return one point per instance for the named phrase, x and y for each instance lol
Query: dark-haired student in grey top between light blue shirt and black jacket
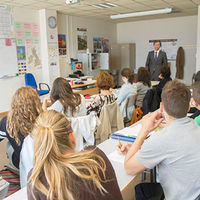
(143, 83)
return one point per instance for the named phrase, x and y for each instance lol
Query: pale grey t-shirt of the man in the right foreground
(175, 150)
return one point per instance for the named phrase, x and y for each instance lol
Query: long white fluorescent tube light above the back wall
(144, 13)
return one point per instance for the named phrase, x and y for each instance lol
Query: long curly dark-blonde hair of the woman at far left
(25, 108)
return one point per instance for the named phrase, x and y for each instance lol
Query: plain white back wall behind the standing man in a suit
(182, 28)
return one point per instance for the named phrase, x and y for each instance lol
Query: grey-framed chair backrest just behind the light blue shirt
(130, 105)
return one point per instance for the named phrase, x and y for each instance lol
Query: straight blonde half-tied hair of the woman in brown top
(55, 159)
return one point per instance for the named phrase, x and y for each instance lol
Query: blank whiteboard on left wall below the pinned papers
(8, 58)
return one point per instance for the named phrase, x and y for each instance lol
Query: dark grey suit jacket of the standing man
(154, 67)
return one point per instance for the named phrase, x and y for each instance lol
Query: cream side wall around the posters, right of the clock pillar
(95, 28)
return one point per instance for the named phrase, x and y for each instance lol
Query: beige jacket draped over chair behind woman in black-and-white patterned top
(111, 121)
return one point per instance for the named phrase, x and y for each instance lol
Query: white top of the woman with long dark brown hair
(80, 110)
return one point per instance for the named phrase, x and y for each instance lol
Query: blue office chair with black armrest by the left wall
(30, 81)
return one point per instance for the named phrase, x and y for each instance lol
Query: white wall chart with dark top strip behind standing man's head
(170, 46)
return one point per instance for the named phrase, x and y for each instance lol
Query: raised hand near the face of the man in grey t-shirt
(151, 121)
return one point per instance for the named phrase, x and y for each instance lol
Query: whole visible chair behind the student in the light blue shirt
(129, 108)
